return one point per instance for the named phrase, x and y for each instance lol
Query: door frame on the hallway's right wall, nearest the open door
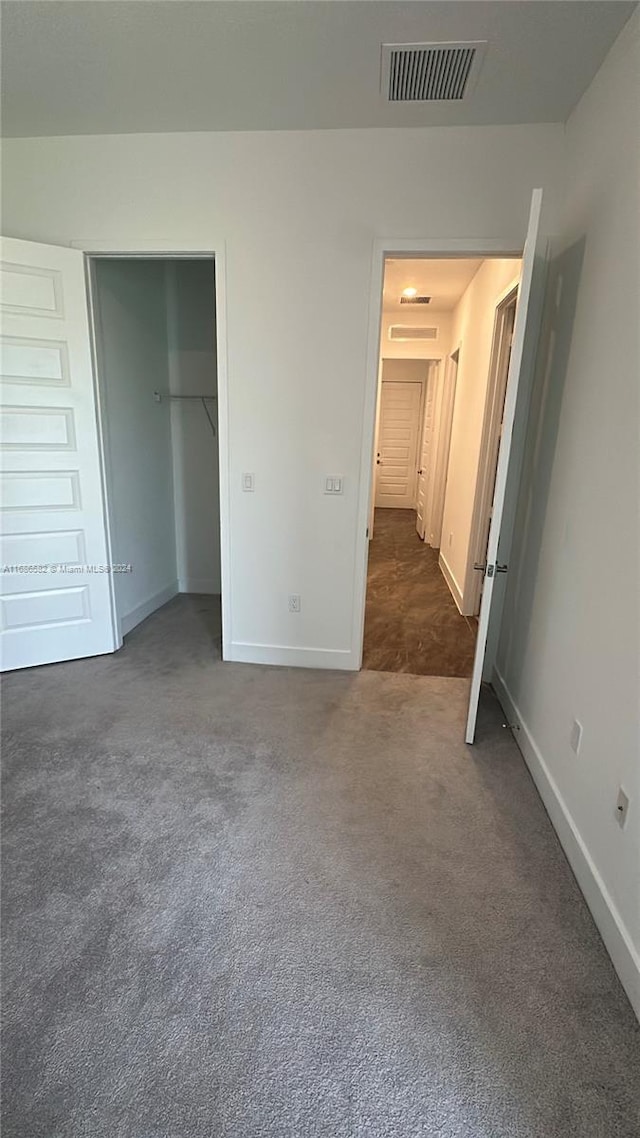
(486, 477)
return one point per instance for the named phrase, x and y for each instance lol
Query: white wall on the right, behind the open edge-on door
(570, 645)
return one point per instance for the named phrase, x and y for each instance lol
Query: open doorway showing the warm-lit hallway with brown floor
(438, 439)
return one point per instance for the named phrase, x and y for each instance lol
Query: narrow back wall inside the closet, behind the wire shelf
(193, 372)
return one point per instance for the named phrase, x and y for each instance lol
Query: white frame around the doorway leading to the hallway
(395, 248)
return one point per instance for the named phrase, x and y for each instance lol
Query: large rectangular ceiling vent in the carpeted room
(431, 72)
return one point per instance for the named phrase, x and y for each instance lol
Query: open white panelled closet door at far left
(55, 589)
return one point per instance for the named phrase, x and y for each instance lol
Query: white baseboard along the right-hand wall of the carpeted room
(611, 926)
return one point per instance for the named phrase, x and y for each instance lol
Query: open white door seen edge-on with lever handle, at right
(511, 401)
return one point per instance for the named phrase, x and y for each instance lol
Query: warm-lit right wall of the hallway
(472, 332)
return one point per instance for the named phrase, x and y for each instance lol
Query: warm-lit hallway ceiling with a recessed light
(445, 281)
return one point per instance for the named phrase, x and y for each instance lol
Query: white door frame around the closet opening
(171, 251)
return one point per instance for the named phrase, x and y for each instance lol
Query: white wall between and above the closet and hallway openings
(298, 215)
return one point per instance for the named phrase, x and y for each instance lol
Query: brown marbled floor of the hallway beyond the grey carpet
(412, 622)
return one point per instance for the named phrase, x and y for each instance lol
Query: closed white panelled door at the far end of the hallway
(398, 446)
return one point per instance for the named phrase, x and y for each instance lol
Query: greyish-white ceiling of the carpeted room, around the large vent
(87, 67)
